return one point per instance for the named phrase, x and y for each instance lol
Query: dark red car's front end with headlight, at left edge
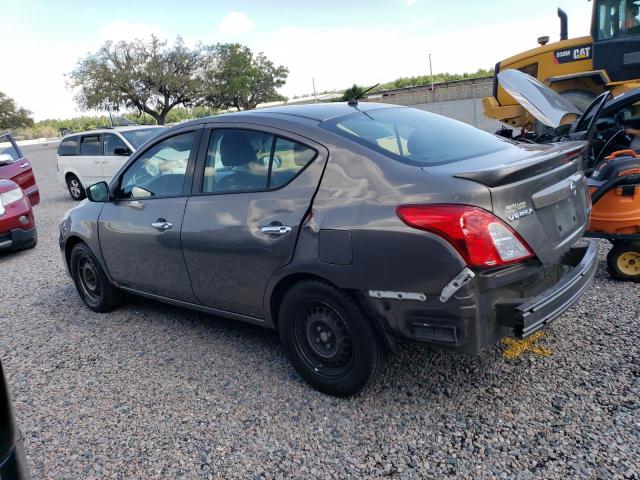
(17, 223)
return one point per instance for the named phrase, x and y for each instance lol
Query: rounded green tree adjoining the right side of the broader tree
(235, 77)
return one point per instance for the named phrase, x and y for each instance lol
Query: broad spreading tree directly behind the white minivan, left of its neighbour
(148, 77)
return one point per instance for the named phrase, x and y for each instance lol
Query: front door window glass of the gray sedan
(159, 171)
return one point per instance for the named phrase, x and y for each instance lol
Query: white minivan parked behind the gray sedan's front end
(94, 156)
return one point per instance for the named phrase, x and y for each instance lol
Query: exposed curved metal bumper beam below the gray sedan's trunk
(529, 315)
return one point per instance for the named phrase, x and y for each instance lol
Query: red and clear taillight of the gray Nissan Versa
(480, 237)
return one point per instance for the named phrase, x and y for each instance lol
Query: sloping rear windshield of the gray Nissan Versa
(415, 136)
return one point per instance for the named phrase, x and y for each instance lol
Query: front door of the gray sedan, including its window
(139, 230)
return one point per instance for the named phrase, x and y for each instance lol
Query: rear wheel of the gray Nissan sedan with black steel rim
(328, 338)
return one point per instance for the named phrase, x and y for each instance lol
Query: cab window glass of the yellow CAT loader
(618, 18)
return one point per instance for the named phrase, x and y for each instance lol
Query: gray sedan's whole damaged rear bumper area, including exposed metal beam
(516, 300)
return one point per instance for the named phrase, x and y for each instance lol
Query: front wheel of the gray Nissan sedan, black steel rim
(91, 282)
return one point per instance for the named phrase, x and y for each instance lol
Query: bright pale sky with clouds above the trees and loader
(336, 42)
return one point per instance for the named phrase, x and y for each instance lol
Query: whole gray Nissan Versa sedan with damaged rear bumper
(344, 227)
